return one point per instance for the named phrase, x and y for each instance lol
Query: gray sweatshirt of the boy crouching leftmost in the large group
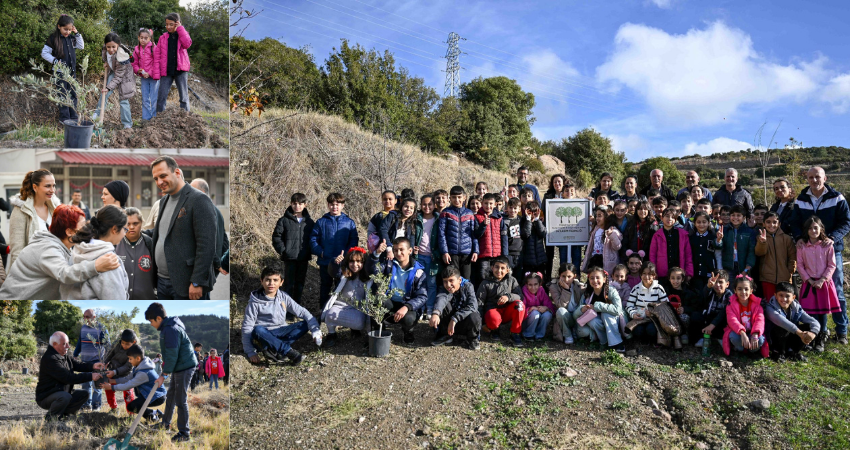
(261, 311)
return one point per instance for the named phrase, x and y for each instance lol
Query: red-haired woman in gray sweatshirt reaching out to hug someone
(43, 265)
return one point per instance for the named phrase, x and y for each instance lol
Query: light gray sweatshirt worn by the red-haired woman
(42, 267)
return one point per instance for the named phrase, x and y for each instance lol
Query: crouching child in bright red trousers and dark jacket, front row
(501, 297)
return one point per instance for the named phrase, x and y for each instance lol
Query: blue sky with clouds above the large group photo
(659, 77)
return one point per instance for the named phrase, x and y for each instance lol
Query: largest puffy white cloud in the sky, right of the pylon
(704, 76)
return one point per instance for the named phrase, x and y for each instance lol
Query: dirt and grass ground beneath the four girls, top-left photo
(205, 126)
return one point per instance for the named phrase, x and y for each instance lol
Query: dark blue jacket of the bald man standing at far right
(832, 211)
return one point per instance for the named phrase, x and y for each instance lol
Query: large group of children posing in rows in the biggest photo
(672, 273)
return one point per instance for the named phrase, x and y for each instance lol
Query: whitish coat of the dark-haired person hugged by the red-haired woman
(110, 285)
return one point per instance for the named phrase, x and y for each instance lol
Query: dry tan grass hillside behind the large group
(290, 151)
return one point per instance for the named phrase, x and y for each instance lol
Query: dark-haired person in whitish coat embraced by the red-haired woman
(95, 239)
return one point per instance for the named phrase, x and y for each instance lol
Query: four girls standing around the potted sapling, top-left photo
(158, 65)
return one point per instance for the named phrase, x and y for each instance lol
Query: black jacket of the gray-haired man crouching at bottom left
(56, 373)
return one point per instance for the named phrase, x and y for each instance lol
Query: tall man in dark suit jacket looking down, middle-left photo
(186, 227)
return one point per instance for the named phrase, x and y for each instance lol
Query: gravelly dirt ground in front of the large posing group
(546, 395)
